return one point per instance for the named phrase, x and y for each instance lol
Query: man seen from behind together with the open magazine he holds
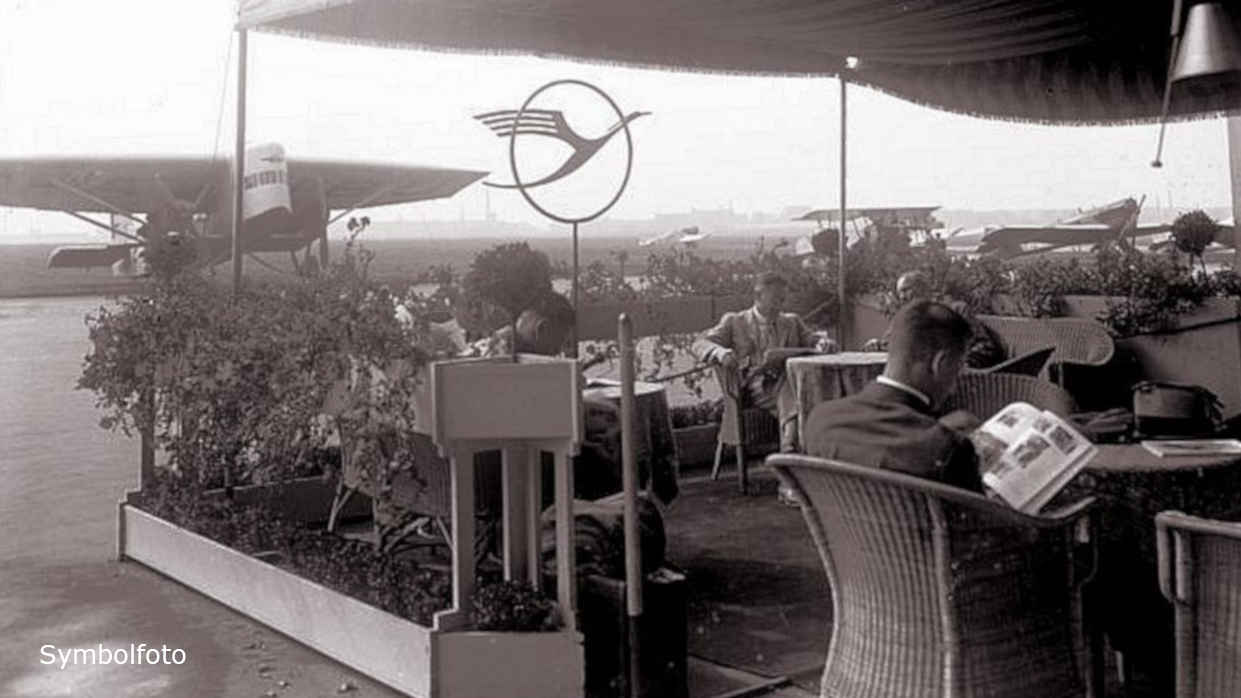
(1022, 455)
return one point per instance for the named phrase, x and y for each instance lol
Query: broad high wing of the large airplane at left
(84, 184)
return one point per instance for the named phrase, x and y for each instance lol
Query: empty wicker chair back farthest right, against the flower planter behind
(1078, 342)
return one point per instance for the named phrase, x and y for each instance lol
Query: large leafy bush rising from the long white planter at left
(236, 387)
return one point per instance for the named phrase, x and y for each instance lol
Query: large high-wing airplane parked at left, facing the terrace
(287, 204)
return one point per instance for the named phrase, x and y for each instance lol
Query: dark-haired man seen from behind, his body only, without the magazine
(893, 423)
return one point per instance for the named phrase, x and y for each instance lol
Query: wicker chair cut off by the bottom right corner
(1201, 574)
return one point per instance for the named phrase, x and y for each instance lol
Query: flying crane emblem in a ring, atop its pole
(553, 126)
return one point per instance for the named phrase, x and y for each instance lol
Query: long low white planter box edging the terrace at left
(410, 658)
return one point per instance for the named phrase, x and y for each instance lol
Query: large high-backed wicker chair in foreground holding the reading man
(939, 592)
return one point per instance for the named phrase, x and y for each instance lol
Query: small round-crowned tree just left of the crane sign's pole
(513, 278)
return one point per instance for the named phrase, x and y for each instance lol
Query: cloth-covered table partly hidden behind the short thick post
(655, 446)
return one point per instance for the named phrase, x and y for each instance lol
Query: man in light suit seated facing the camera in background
(745, 342)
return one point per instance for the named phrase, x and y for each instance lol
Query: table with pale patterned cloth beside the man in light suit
(820, 378)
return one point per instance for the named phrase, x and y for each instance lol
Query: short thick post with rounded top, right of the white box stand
(630, 481)
